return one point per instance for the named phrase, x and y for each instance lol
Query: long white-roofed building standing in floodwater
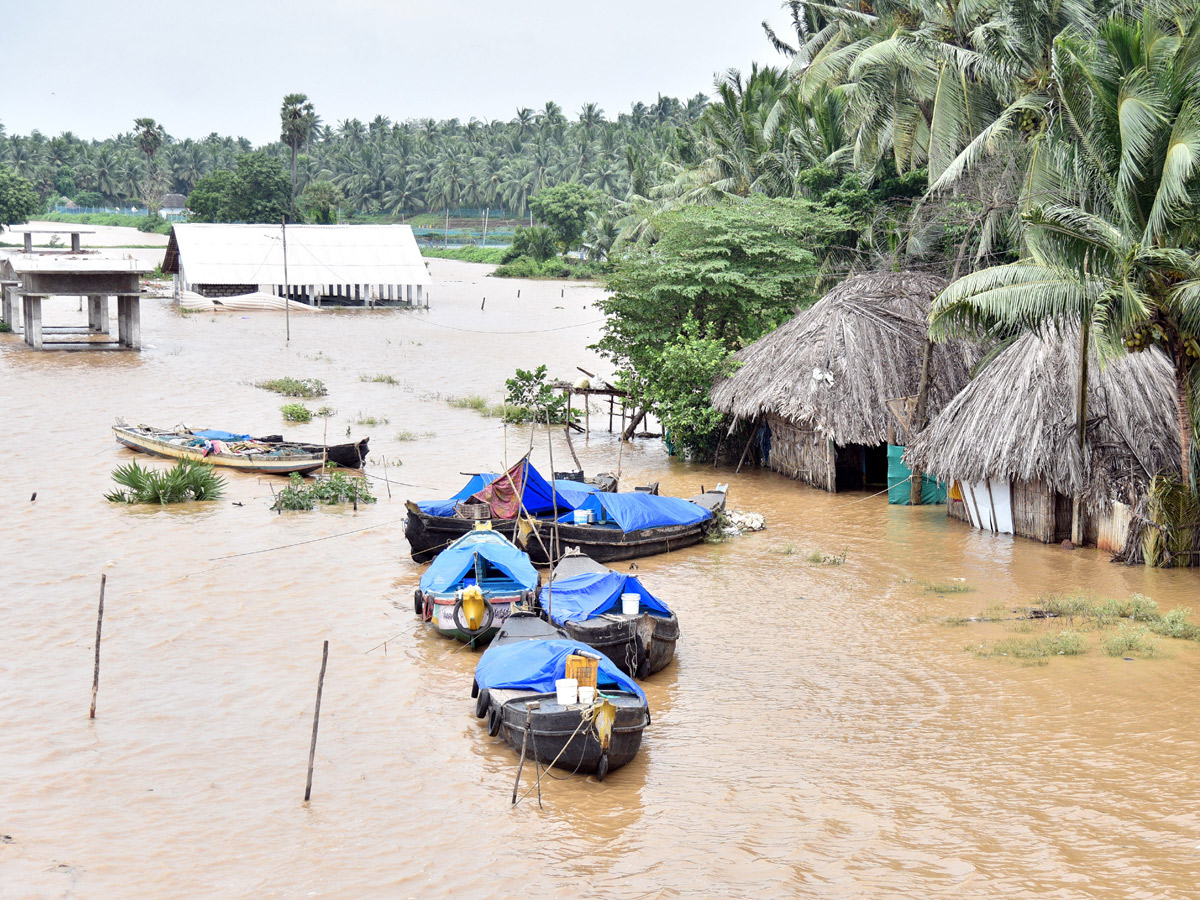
(351, 265)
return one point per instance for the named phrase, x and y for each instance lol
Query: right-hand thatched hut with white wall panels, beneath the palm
(1010, 441)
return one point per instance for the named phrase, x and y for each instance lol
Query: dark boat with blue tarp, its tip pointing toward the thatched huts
(627, 526)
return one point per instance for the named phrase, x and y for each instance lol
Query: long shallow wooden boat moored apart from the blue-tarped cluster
(272, 455)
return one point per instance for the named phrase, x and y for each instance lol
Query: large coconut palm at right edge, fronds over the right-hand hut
(1112, 230)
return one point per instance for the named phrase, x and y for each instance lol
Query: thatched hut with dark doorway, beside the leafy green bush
(821, 383)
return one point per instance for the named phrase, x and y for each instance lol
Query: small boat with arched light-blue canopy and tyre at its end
(470, 590)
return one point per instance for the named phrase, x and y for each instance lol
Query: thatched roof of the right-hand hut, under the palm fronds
(1017, 422)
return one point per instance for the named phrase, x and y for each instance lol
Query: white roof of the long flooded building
(317, 255)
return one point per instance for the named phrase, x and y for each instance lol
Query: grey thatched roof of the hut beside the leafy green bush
(837, 364)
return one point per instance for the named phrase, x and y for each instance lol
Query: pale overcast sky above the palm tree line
(94, 67)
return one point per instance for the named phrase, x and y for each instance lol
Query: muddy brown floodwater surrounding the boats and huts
(820, 735)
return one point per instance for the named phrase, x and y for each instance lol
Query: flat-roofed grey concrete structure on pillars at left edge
(27, 279)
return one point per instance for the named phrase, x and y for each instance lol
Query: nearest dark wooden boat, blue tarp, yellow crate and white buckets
(512, 693)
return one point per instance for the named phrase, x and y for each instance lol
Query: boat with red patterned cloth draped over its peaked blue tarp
(501, 499)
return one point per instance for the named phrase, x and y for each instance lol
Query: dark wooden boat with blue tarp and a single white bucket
(585, 599)
